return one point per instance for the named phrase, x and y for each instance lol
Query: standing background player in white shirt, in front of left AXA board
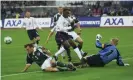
(31, 25)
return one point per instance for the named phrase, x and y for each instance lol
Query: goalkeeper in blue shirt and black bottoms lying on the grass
(107, 53)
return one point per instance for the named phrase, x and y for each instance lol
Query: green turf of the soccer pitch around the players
(13, 56)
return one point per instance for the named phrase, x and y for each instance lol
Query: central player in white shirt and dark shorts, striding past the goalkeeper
(62, 27)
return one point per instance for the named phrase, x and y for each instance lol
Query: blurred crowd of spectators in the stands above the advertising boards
(16, 9)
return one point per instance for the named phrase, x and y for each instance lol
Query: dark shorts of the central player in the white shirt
(61, 37)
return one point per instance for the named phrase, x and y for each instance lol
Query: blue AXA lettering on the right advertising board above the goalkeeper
(114, 21)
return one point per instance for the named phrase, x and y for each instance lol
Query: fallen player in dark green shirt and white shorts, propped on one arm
(42, 57)
